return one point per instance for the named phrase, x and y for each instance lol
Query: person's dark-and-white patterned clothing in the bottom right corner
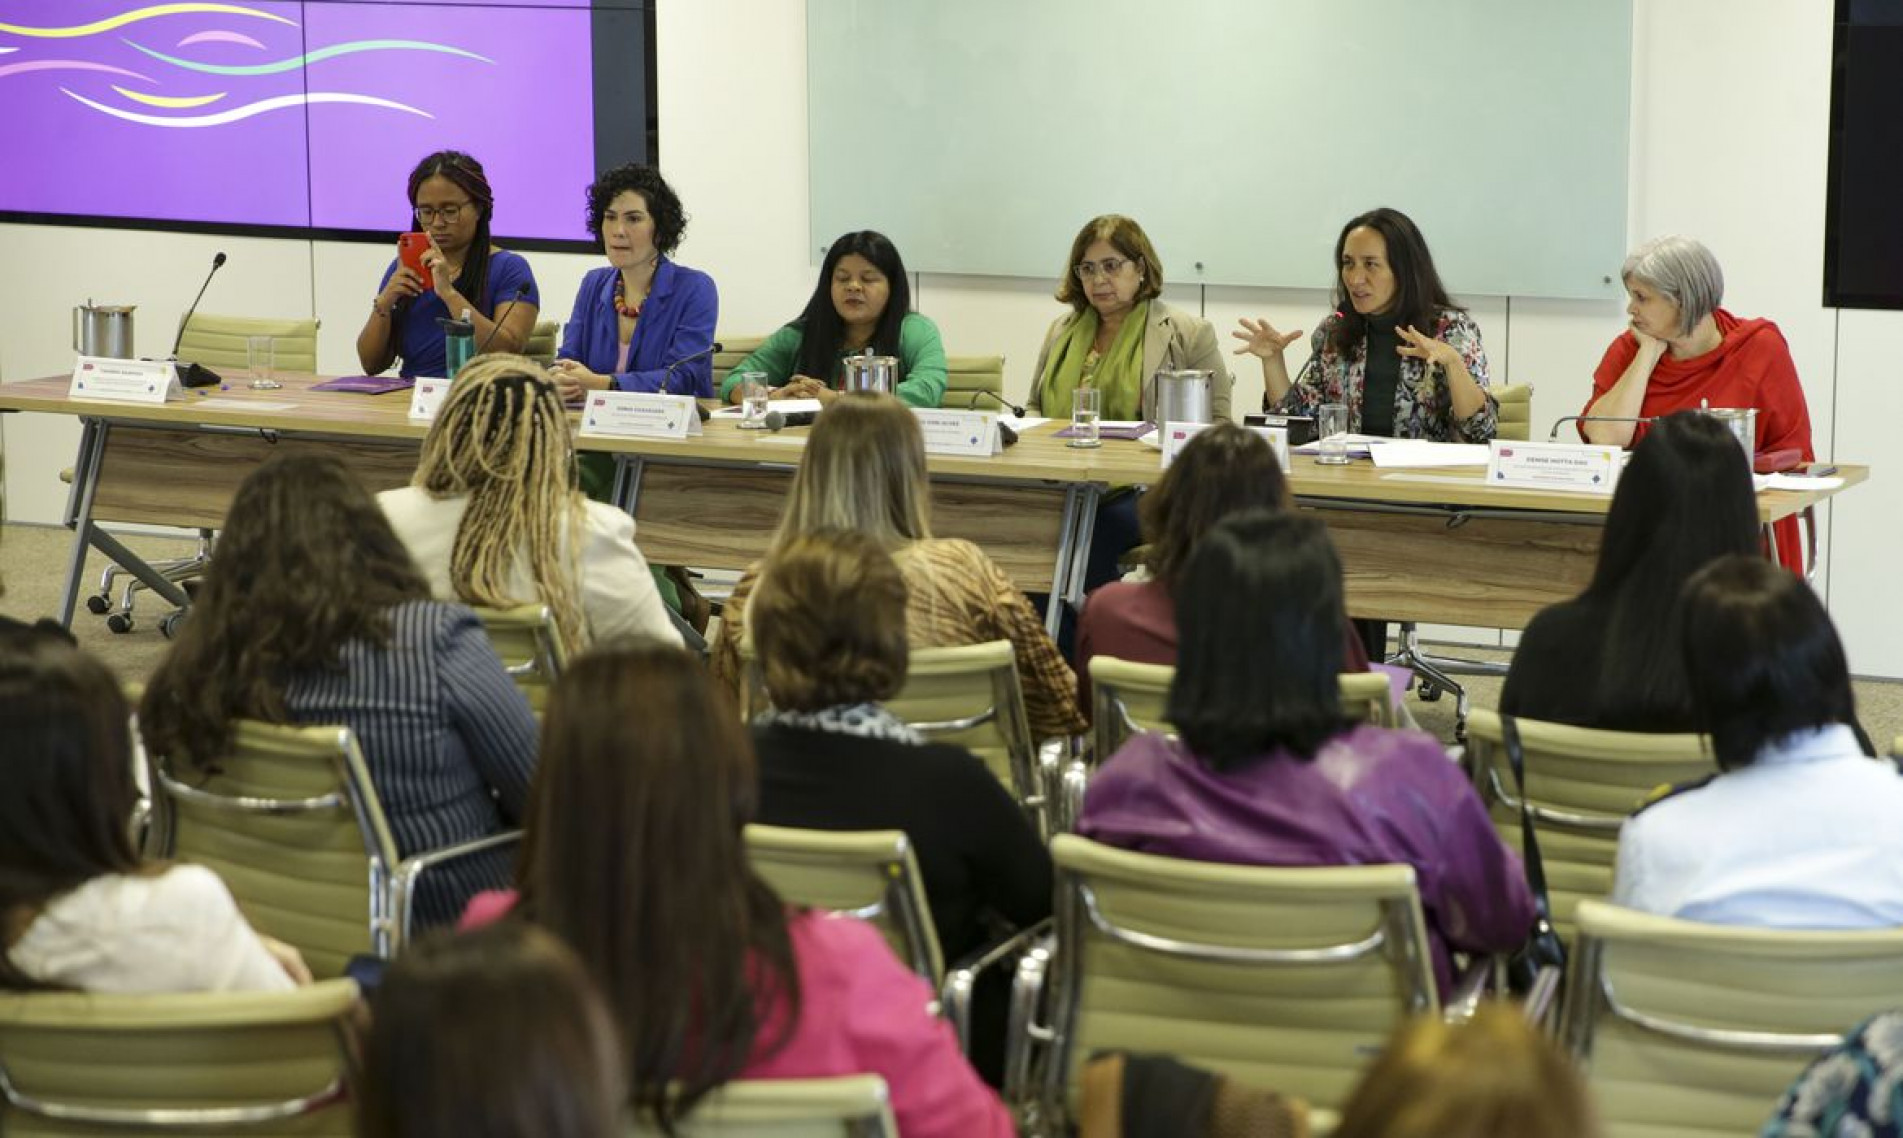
(1853, 1091)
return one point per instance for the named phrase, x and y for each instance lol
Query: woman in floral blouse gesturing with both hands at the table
(1398, 351)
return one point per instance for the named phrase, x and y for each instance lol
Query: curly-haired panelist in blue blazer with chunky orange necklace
(640, 315)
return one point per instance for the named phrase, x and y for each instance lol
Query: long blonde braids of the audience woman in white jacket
(503, 442)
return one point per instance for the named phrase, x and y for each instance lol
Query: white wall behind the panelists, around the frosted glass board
(1731, 106)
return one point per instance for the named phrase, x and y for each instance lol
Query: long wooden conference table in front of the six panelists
(1417, 545)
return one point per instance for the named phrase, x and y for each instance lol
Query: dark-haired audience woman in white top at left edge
(81, 909)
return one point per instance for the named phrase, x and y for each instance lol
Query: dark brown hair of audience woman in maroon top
(1225, 469)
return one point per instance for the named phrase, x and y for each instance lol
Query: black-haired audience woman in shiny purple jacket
(1270, 772)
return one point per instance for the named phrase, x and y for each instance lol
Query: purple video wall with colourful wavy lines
(300, 115)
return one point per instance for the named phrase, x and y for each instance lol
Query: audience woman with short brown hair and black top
(831, 629)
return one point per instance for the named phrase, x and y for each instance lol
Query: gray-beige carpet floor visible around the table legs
(33, 568)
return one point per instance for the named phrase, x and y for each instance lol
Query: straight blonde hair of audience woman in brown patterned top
(865, 473)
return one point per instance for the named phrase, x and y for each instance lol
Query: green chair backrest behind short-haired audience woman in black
(867, 874)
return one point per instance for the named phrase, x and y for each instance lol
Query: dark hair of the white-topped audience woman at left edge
(66, 755)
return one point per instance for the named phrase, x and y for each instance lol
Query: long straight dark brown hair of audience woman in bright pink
(635, 859)
